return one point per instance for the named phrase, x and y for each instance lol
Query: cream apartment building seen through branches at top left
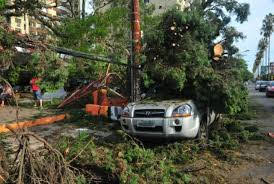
(26, 24)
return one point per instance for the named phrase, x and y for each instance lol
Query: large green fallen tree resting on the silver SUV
(179, 60)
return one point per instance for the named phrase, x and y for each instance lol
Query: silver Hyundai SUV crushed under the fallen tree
(165, 119)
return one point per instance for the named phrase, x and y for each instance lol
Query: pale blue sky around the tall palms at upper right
(251, 29)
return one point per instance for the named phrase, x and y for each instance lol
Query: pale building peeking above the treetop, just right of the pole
(162, 6)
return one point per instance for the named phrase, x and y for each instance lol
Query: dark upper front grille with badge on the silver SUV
(149, 113)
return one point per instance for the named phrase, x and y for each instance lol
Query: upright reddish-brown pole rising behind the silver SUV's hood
(136, 43)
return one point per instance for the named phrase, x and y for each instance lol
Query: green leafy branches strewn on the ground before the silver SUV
(134, 161)
